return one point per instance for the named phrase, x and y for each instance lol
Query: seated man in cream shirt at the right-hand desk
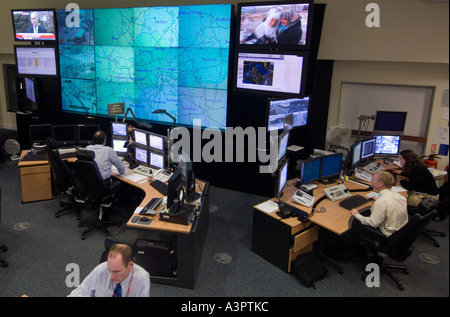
(388, 214)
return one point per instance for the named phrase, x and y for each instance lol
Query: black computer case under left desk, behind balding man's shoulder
(156, 257)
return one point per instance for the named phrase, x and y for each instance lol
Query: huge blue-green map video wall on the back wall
(172, 58)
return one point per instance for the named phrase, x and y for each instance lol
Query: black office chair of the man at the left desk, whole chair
(91, 187)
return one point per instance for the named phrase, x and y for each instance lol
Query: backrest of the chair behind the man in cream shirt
(400, 242)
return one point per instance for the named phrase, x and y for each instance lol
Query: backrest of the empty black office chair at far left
(63, 176)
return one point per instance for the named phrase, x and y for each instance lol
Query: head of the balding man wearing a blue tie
(120, 262)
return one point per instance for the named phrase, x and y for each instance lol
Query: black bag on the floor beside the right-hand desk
(308, 268)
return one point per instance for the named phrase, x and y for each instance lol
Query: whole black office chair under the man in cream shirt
(398, 246)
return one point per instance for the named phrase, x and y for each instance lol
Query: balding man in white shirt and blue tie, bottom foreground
(119, 276)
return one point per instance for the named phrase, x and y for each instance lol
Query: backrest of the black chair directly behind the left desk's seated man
(89, 182)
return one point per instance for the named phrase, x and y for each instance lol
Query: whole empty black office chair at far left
(62, 179)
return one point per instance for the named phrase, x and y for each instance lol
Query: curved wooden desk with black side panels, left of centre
(187, 241)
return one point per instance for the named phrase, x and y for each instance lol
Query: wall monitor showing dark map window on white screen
(272, 74)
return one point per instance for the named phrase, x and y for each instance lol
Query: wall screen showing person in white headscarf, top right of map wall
(275, 25)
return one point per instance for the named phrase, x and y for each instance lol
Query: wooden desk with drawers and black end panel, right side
(280, 241)
